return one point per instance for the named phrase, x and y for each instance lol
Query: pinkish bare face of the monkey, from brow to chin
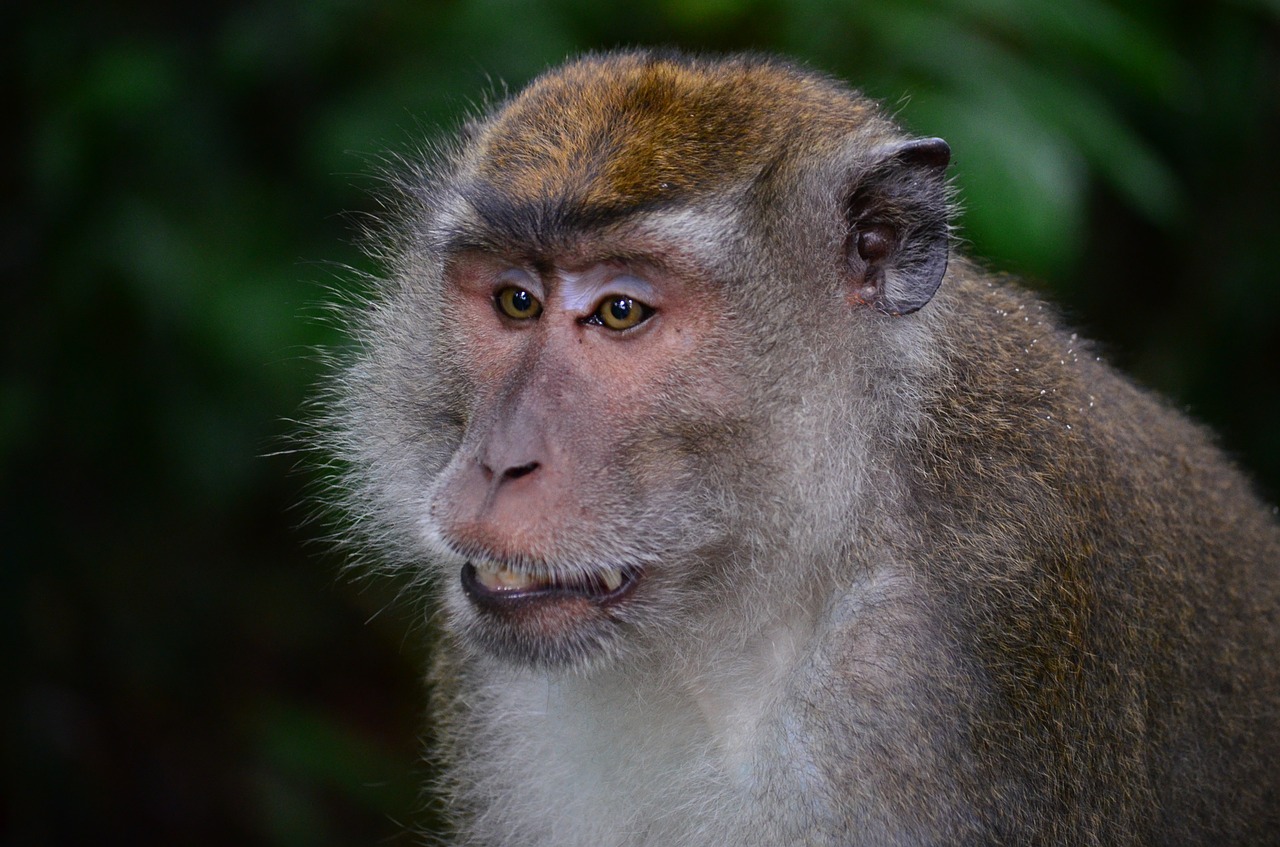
(554, 498)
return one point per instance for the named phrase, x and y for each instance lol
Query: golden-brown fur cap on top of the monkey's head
(625, 130)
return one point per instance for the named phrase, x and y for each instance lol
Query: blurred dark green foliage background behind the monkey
(184, 661)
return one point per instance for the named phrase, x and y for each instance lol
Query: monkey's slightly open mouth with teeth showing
(497, 587)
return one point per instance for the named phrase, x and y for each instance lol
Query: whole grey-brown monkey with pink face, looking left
(752, 512)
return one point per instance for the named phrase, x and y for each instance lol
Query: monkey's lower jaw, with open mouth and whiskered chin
(548, 621)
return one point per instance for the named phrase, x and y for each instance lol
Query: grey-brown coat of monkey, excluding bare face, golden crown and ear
(934, 579)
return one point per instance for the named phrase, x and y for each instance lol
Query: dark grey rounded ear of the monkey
(898, 245)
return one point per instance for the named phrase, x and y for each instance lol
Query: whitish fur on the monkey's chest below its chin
(670, 756)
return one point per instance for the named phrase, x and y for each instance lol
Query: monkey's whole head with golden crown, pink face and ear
(575, 391)
